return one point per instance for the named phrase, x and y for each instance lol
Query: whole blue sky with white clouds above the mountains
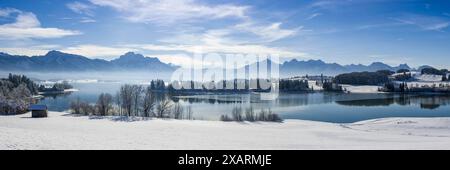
(342, 31)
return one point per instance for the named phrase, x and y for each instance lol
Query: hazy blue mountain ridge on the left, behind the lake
(59, 61)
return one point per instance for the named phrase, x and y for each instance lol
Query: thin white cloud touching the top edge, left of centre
(171, 11)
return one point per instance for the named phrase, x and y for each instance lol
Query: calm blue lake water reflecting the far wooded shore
(327, 107)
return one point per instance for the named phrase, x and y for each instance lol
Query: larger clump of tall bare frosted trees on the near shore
(133, 100)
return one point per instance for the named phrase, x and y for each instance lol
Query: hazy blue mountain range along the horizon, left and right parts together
(59, 61)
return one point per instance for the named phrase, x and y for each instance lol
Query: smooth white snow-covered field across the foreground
(61, 131)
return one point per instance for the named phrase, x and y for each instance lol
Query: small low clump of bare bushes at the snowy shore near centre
(239, 115)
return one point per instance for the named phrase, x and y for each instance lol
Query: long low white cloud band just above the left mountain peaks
(179, 54)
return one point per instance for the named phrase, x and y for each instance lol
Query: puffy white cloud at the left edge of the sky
(27, 26)
